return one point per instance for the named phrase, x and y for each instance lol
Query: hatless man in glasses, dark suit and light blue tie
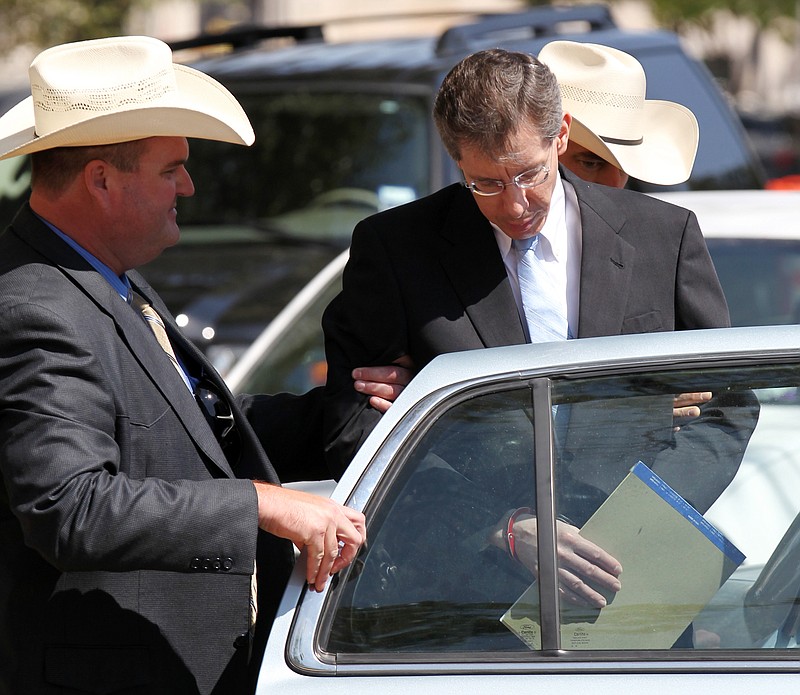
(448, 273)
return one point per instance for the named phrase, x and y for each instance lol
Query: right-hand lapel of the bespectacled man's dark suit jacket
(606, 263)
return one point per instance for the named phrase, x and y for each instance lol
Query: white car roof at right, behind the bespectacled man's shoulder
(741, 214)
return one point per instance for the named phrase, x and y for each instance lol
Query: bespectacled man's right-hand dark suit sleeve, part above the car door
(699, 299)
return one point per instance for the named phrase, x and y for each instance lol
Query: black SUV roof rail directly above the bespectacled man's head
(539, 21)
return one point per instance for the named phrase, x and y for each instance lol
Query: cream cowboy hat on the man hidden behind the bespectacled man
(604, 91)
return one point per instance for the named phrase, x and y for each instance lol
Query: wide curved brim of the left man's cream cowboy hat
(200, 107)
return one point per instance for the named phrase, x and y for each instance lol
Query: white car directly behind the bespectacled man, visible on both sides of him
(753, 238)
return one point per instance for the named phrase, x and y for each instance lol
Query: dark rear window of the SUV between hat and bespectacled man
(312, 172)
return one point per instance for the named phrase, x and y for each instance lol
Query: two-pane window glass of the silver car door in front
(432, 580)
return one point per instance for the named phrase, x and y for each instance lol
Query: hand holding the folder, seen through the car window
(584, 569)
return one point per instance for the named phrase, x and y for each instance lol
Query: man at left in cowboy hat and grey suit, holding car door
(136, 497)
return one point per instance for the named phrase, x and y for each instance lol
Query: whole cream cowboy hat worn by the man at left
(118, 89)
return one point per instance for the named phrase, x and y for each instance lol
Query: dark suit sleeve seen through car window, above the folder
(606, 437)
